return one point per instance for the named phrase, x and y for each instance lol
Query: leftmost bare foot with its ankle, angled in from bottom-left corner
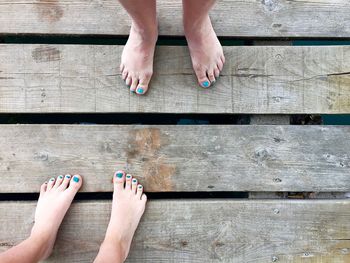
(55, 198)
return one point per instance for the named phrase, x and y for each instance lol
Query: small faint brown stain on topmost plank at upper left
(49, 10)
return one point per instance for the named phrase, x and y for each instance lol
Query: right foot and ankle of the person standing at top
(206, 51)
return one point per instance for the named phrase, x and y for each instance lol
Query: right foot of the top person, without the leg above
(206, 51)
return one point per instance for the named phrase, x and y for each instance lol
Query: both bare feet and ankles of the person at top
(205, 49)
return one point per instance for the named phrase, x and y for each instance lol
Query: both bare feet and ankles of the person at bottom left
(55, 199)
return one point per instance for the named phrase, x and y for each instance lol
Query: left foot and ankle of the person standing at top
(137, 58)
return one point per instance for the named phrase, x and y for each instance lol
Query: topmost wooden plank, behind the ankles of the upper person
(249, 18)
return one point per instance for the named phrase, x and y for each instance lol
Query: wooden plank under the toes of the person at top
(271, 80)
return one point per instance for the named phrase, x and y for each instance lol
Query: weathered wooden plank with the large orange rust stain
(178, 158)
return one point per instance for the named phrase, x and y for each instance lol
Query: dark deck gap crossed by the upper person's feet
(162, 40)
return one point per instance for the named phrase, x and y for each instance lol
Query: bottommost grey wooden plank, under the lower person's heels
(201, 231)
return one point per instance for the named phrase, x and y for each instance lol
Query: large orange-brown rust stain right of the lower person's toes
(143, 147)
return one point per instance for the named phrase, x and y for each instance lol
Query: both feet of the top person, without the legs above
(205, 49)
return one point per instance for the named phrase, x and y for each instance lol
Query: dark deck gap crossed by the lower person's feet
(150, 196)
